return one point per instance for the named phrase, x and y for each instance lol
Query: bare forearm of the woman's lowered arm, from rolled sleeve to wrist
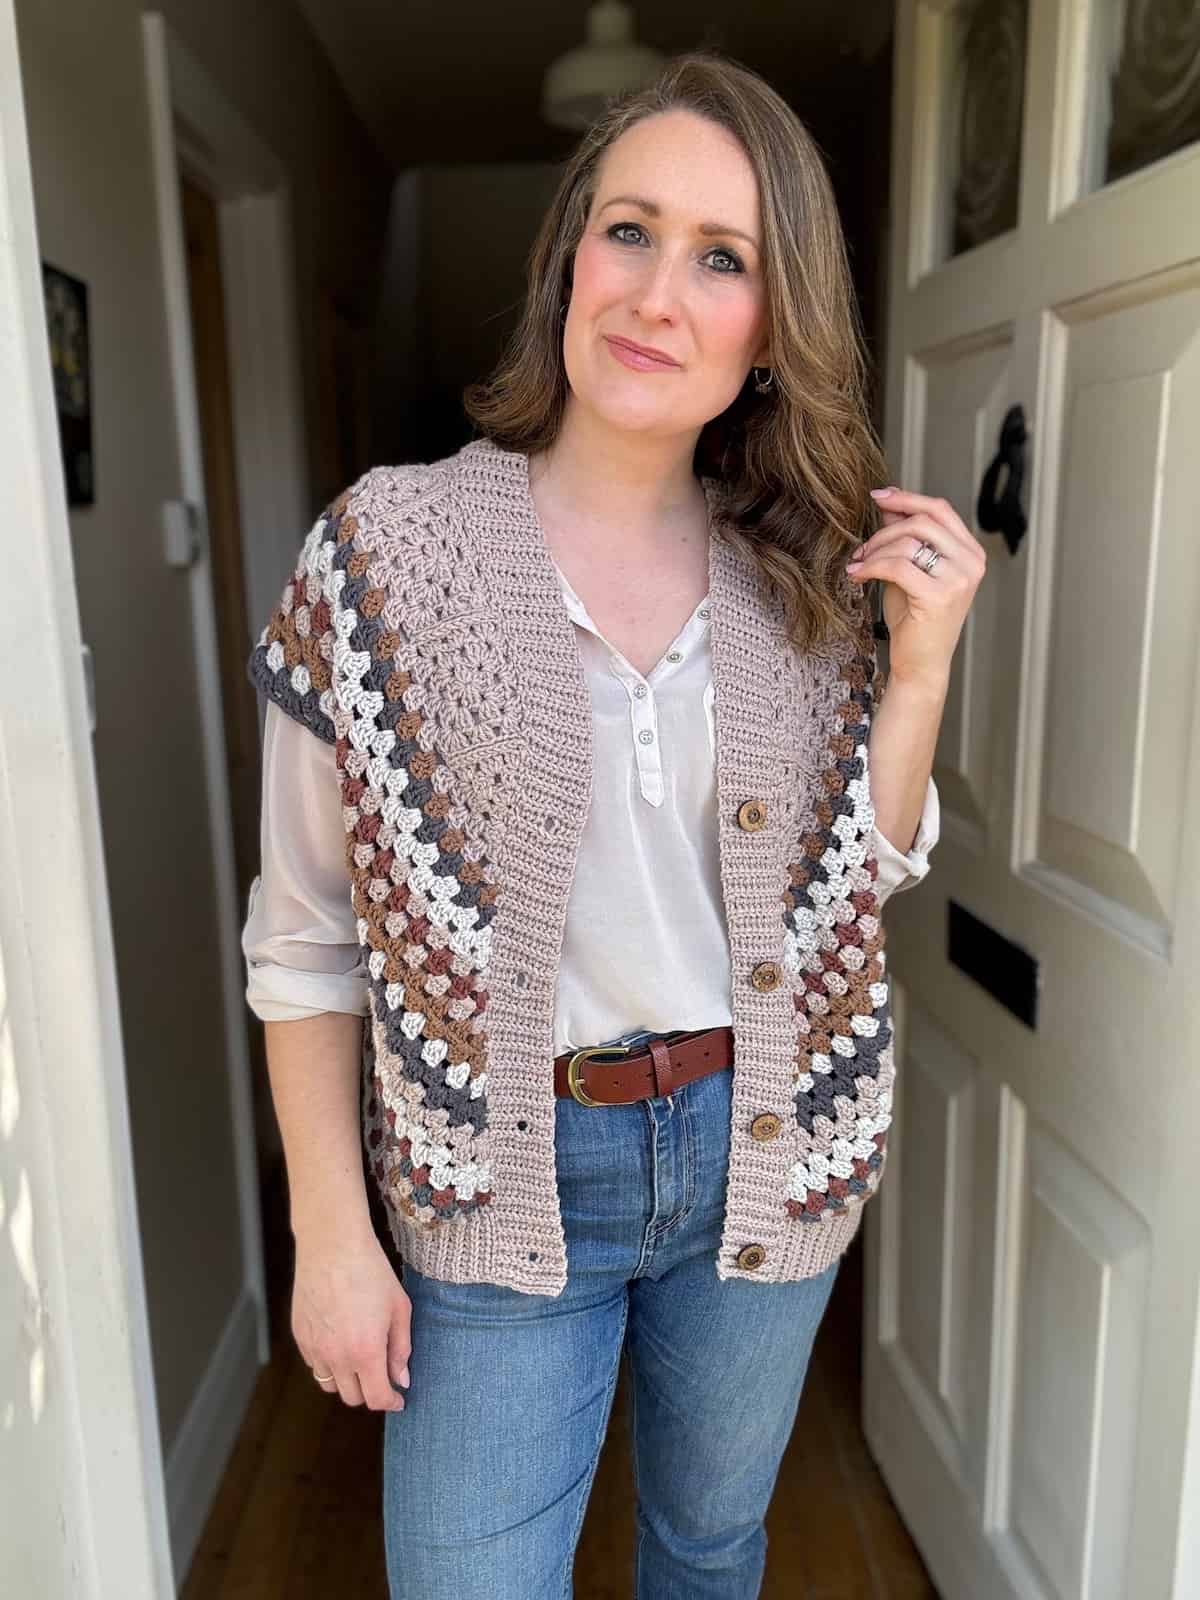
(314, 1068)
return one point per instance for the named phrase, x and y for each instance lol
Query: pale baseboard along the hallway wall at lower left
(206, 1441)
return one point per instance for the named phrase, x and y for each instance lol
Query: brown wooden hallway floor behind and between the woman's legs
(297, 1518)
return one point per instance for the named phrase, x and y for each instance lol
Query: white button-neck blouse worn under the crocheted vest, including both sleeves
(647, 863)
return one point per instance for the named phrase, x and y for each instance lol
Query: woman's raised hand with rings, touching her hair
(926, 612)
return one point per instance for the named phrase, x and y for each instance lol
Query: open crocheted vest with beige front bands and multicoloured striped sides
(425, 636)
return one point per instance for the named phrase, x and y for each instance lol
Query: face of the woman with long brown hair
(670, 258)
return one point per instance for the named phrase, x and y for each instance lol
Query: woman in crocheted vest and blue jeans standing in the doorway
(593, 702)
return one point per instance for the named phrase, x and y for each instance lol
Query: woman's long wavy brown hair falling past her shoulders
(794, 465)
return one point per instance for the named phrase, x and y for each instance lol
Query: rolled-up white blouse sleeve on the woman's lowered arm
(300, 940)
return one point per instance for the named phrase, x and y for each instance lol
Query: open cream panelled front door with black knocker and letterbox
(1031, 1330)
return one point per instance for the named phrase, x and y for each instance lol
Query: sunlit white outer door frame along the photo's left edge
(78, 1375)
